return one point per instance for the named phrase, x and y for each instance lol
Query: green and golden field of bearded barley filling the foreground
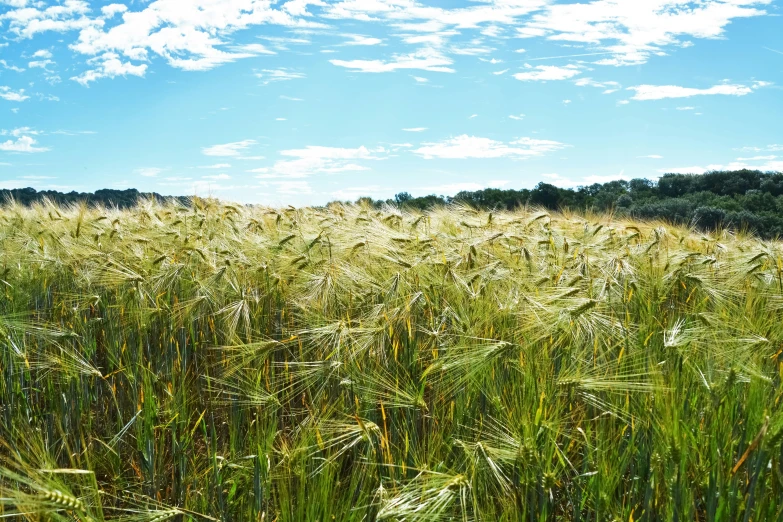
(218, 362)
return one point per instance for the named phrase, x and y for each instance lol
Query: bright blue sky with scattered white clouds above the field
(307, 101)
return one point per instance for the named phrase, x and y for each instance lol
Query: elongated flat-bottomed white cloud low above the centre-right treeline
(465, 146)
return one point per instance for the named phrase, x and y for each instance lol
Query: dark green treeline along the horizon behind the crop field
(741, 199)
